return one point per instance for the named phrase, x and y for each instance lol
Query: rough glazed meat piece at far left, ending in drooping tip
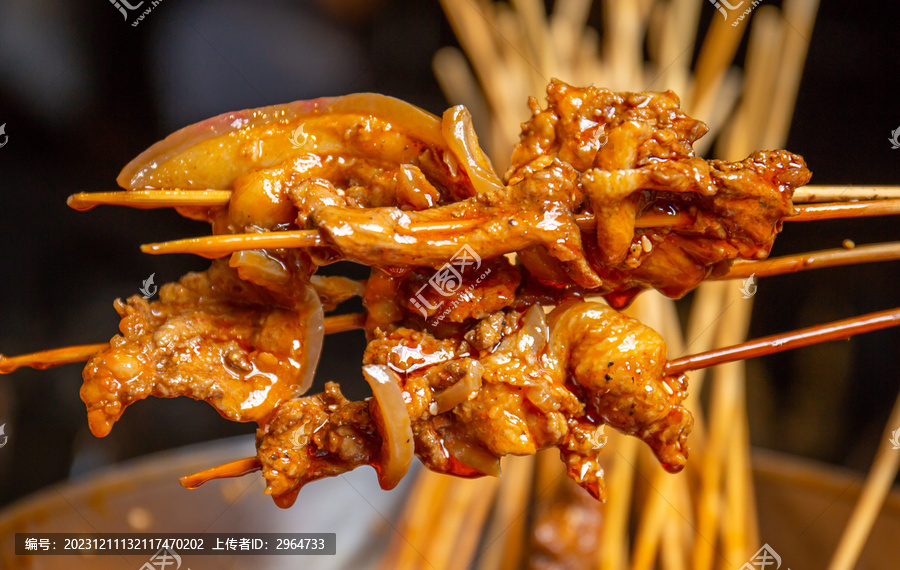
(211, 336)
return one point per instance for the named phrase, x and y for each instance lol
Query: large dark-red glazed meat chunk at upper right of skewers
(634, 156)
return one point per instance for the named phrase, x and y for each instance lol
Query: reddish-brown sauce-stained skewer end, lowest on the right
(836, 330)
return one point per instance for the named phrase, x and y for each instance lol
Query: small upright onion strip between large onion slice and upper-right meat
(456, 125)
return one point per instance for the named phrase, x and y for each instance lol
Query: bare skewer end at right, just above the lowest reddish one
(814, 260)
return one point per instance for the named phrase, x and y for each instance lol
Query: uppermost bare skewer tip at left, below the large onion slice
(144, 199)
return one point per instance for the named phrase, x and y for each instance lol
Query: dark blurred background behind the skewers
(82, 92)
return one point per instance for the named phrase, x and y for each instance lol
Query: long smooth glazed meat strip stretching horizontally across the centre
(538, 210)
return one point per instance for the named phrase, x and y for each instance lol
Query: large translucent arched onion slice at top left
(242, 141)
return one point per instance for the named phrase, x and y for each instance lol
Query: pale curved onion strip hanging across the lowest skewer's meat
(397, 448)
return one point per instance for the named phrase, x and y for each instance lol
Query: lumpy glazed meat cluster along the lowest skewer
(469, 403)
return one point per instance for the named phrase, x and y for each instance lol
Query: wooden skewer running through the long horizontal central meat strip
(220, 245)
